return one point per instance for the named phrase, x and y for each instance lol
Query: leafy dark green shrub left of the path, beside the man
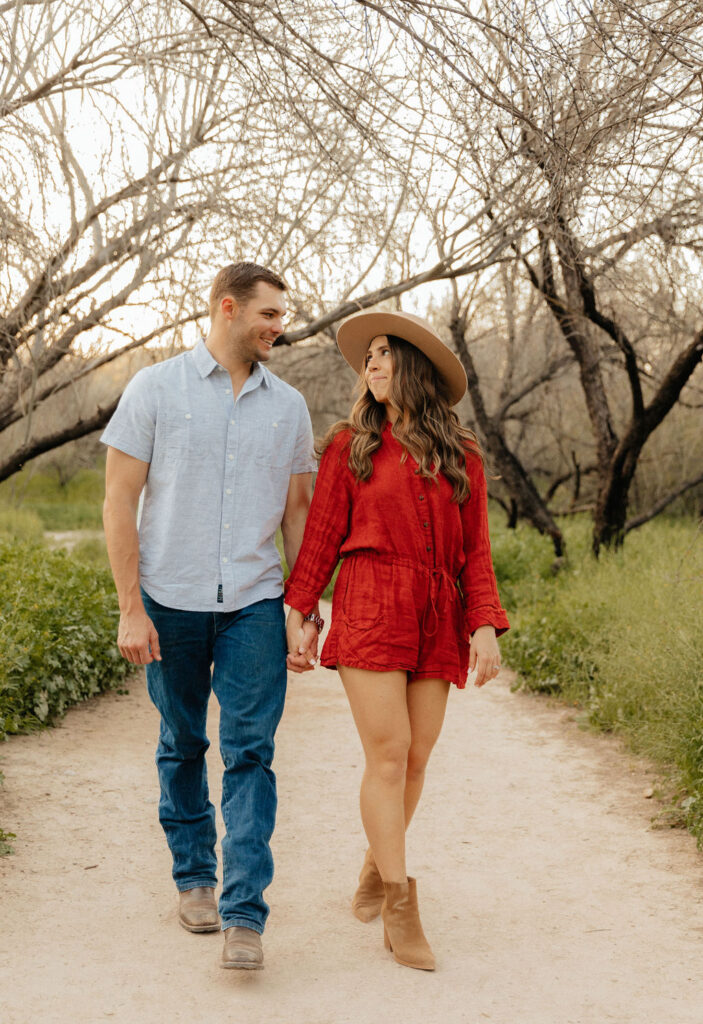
(59, 623)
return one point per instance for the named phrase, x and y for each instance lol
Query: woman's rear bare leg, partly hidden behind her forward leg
(427, 700)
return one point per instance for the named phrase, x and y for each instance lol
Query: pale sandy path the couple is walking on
(546, 893)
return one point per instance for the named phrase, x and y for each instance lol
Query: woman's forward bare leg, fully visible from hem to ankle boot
(379, 705)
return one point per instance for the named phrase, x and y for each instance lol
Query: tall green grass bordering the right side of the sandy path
(623, 637)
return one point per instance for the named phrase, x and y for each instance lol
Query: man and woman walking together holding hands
(224, 452)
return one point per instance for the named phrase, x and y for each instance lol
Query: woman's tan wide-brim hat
(357, 333)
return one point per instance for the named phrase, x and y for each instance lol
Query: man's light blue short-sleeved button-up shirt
(218, 479)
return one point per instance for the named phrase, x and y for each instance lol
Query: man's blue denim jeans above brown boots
(242, 657)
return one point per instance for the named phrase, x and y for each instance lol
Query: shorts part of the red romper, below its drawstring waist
(393, 614)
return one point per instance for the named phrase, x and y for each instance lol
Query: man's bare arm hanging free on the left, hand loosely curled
(125, 478)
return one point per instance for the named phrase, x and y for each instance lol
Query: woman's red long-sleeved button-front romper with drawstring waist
(417, 577)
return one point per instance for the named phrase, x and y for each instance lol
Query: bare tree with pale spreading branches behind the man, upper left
(137, 151)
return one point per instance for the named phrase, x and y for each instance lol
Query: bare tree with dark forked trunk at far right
(584, 125)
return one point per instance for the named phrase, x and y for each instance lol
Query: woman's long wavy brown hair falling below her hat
(426, 425)
